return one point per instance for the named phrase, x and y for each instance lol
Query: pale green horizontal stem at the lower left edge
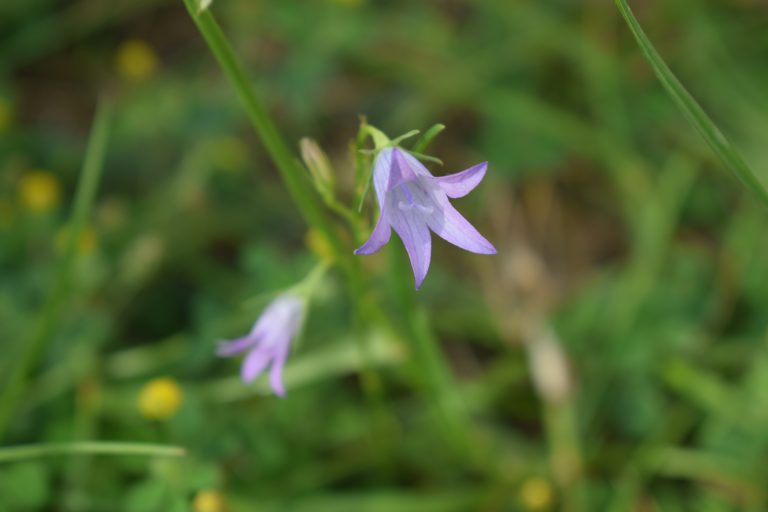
(33, 451)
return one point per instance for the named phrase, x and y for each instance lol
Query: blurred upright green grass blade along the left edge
(52, 310)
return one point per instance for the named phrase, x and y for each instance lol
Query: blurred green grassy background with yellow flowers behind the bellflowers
(612, 356)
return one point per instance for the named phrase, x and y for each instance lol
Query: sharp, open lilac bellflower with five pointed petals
(413, 202)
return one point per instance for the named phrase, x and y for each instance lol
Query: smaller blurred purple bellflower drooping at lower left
(269, 341)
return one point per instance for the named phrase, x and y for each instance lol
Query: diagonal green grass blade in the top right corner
(692, 110)
